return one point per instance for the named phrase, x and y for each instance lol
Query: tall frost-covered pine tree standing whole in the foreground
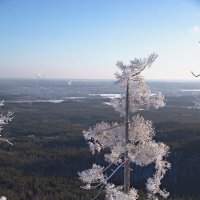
(131, 141)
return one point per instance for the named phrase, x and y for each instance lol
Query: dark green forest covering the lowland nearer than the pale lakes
(49, 149)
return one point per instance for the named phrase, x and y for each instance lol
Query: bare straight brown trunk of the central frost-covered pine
(127, 160)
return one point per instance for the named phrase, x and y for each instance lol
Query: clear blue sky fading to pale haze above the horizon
(85, 38)
